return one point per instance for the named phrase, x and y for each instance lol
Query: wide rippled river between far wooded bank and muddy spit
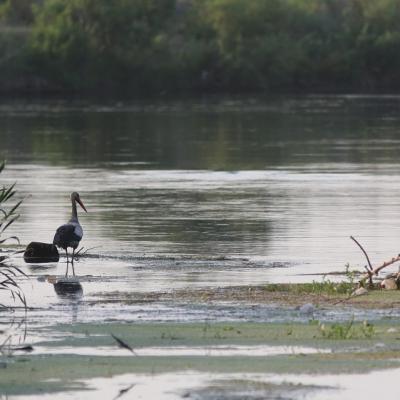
(209, 192)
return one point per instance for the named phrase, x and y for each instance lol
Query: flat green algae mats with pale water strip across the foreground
(179, 347)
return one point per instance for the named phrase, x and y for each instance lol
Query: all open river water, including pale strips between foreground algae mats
(201, 193)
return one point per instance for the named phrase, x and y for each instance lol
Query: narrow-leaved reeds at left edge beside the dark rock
(9, 273)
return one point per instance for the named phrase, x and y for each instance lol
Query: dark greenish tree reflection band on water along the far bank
(227, 134)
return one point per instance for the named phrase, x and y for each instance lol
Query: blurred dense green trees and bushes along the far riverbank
(217, 45)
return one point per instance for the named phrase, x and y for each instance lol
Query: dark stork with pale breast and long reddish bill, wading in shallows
(70, 234)
